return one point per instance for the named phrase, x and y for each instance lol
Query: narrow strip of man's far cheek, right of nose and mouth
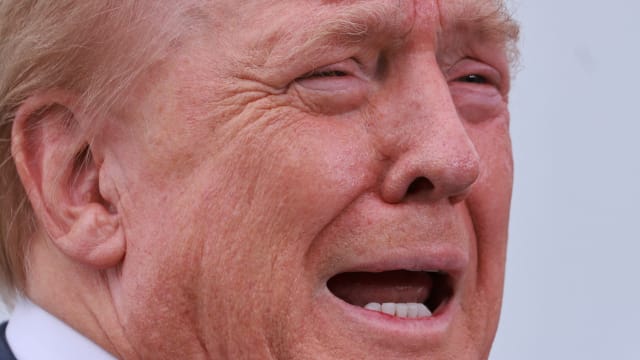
(488, 206)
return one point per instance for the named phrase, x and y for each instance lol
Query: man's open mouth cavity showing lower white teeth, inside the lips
(399, 293)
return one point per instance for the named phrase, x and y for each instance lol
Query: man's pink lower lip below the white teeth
(432, 328)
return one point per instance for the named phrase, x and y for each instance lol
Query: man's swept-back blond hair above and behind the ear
(97, 49)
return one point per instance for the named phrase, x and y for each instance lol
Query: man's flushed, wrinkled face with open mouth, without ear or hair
(296, 161)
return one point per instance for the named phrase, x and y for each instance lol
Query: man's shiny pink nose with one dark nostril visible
(432, 155)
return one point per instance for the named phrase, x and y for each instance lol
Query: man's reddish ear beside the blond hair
(61, 175)
